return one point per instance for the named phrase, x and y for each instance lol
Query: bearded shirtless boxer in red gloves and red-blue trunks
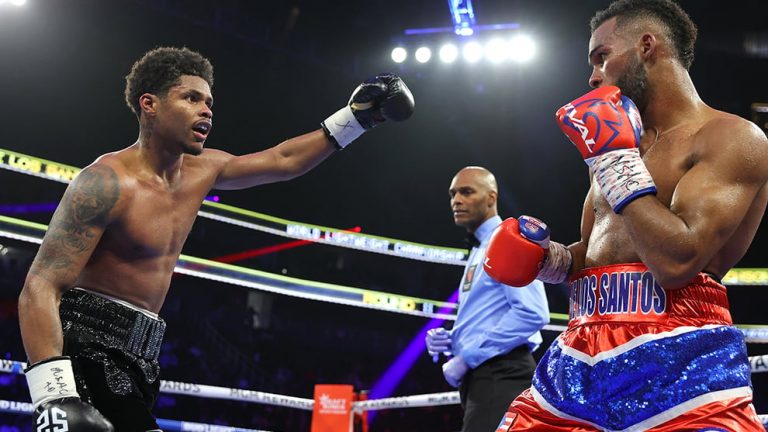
(650, 344)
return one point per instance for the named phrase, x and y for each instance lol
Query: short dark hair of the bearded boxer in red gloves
(681, 29)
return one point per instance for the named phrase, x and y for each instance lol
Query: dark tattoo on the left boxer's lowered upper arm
(82, 212)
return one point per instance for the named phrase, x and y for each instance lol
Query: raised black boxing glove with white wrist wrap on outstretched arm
(381, 98)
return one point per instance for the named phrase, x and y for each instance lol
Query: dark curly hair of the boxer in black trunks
(160, 69)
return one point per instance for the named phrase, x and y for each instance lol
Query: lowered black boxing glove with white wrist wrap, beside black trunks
(57, 404)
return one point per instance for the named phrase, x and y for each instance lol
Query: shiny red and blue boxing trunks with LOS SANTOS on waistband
(637, 357)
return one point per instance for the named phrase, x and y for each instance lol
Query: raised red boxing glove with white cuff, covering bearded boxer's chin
(606, 128)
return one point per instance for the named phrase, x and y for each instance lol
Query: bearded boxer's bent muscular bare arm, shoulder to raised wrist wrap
(709, 203)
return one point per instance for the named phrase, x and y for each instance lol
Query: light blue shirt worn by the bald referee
(494, 318)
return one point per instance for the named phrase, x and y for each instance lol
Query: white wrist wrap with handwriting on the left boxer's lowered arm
(51, 379)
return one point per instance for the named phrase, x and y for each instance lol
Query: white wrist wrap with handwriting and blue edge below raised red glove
(622, 177)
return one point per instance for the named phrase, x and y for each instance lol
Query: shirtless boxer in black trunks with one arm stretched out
(88, 310)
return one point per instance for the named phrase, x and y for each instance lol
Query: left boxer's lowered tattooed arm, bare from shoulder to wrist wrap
(75, 229)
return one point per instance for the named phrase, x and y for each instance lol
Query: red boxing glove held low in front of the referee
(513, 258)
